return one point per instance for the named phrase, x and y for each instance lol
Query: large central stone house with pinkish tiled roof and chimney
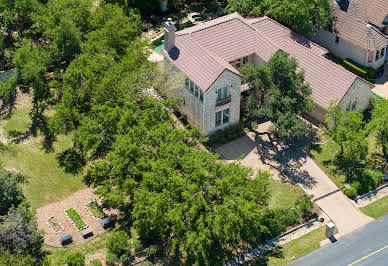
(208, 57)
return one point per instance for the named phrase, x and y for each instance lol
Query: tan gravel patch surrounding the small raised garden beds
(57, 209)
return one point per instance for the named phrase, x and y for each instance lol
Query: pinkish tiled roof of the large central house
(202, 53)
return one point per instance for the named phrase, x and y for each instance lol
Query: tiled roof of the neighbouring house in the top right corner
(352, 20)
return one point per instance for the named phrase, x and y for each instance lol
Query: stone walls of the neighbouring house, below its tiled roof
(344, 49)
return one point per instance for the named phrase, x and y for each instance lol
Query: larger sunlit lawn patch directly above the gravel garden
(47, 182)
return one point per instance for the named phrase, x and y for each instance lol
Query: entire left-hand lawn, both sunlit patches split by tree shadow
(46, 181)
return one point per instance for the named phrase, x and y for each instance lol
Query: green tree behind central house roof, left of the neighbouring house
(302, 16)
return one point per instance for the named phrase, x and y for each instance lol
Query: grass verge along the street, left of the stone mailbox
(294, 249)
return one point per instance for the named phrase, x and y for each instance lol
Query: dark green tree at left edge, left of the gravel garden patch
(11, 194)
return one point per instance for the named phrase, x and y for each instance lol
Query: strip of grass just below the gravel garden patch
(58, 256)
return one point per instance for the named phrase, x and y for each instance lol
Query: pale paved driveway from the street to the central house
(291, 162)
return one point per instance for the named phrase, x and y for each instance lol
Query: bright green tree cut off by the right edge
(379, 123)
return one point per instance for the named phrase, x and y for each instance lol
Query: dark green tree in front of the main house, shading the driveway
(286, 95)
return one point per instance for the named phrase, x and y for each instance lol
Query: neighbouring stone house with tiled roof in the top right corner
(358, 31)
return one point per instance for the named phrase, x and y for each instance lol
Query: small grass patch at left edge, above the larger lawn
(19, 121)
